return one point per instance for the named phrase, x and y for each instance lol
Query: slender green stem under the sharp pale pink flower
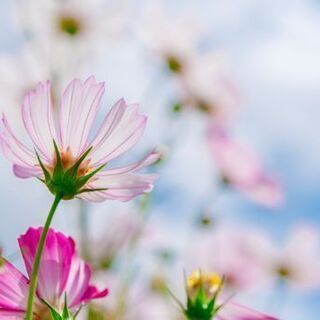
(36, 263)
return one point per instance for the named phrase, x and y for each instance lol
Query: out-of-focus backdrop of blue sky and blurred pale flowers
(231, 94)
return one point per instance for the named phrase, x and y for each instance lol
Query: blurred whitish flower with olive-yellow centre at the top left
(58, 29)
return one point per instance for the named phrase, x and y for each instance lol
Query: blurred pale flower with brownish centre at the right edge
(297, 262)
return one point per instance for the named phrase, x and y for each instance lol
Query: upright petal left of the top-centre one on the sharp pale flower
(37, 115)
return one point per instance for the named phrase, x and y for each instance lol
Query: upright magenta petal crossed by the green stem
(55, 262)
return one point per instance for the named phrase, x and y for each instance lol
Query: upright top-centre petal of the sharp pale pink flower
(79, 107)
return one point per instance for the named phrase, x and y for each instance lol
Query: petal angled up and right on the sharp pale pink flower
(120, 131)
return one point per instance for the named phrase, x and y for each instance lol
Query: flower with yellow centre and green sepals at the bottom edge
(204, 302)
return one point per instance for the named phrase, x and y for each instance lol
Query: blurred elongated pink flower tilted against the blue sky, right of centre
(241, 168)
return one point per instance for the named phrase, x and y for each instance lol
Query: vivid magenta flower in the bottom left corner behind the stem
(62, 273)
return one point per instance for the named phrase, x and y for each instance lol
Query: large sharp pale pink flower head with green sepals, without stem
(64, 158)
